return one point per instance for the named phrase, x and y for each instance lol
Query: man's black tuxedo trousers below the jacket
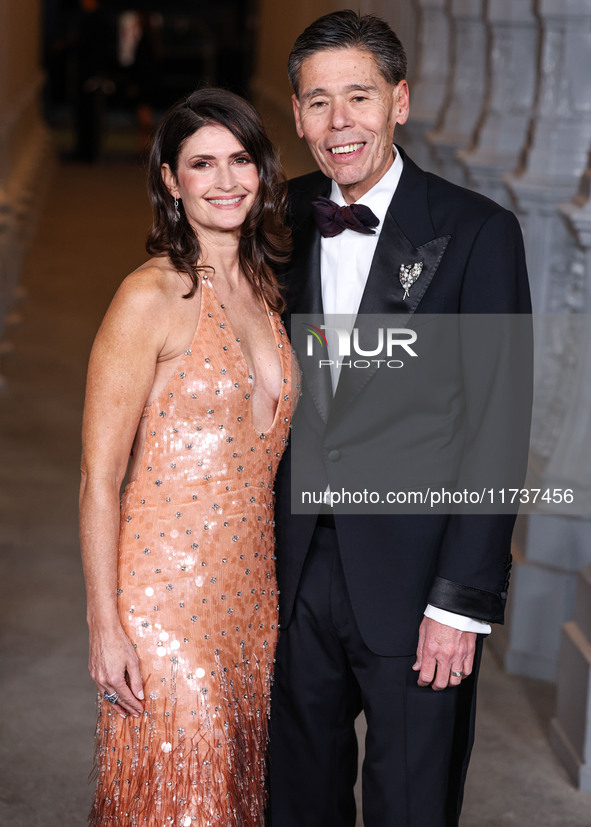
(418, 741)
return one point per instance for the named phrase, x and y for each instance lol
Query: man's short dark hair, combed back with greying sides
(349, 30)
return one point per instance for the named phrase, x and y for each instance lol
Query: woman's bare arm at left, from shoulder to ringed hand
(120, 375)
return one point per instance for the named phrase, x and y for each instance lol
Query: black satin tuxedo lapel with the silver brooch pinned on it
(384, 293)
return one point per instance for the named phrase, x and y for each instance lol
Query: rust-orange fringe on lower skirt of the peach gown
(212, 777)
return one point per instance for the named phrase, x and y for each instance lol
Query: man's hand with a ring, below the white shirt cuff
(441, 651)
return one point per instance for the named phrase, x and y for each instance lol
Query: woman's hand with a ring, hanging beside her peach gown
(114, 667)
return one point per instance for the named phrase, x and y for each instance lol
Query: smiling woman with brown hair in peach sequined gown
(190, 372)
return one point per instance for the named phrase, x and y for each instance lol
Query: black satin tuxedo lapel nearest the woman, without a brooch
(305, 298)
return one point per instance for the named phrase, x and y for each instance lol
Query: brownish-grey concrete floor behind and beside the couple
(91, 234)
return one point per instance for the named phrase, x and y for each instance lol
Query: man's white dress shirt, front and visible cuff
(345, 261)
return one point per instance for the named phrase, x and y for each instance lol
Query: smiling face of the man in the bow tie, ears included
(347, 112)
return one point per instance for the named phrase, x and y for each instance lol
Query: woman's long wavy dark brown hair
(265, 240)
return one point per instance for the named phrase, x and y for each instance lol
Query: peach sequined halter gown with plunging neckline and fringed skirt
(197, 596)
